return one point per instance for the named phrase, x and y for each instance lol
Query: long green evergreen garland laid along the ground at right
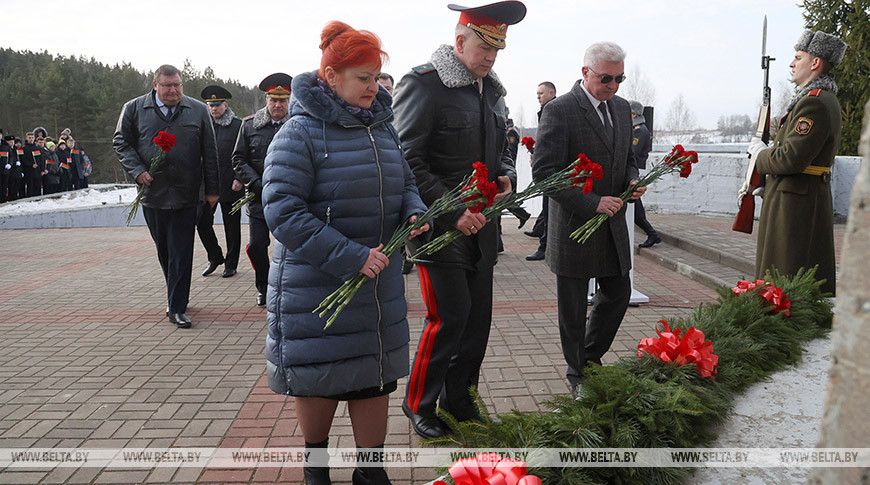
(645, 402)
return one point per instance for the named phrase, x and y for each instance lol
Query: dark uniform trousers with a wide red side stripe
(453, 342)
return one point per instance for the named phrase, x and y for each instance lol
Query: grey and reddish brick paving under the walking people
(88, 359)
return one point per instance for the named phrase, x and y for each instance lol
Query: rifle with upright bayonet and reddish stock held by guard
(754, 184)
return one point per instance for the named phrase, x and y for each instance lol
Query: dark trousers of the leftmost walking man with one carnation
(172, 232)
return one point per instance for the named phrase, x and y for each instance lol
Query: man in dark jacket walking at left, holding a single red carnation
(172, 192)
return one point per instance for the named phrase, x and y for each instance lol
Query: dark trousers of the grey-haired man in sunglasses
(579, 341)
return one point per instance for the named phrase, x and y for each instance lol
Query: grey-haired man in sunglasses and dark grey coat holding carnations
(592, 120)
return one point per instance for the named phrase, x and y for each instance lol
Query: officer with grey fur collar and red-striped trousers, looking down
(446, 119)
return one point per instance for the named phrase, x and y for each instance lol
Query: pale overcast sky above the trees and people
(707, 51)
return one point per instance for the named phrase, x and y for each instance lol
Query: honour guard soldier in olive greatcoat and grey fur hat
(797, 216)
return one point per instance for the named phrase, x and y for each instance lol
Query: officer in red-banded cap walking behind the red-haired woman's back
(248, 160)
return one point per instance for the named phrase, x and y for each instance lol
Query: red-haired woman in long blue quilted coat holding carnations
(335, 188)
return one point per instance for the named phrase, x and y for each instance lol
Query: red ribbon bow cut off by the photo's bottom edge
(490, 469)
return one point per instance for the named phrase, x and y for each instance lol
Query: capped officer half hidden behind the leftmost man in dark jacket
(226, 129)
